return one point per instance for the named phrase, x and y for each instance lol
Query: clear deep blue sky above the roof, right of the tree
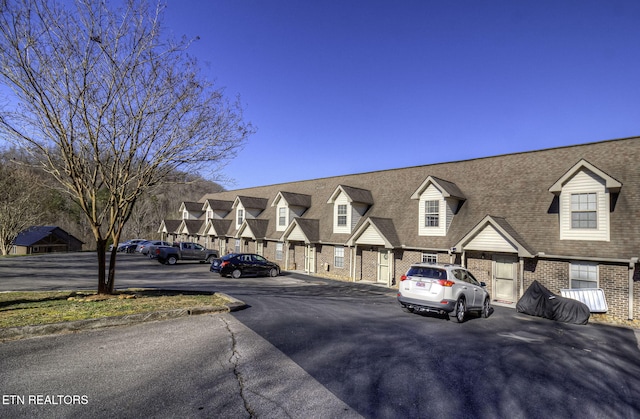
(351, 86)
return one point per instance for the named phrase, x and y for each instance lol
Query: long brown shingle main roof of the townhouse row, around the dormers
(512, 187)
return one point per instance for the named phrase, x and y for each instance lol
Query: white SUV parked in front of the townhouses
(442, 288)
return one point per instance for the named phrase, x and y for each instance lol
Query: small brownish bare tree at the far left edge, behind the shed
(20, 201)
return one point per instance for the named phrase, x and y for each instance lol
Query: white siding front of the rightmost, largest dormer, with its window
(584, 186)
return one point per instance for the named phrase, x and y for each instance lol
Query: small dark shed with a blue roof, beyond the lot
(45, 239)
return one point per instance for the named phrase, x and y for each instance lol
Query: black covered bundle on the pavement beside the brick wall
(539, 301)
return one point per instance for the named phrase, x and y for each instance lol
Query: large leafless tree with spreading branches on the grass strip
(108, 106)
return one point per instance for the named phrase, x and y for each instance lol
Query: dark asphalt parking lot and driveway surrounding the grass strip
(351, 340)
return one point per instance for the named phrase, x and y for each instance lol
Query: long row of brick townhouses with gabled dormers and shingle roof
(568, 217)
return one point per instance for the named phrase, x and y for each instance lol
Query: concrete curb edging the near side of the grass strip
(22, 332)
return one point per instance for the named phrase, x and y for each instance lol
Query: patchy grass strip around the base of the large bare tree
(37, 308)
